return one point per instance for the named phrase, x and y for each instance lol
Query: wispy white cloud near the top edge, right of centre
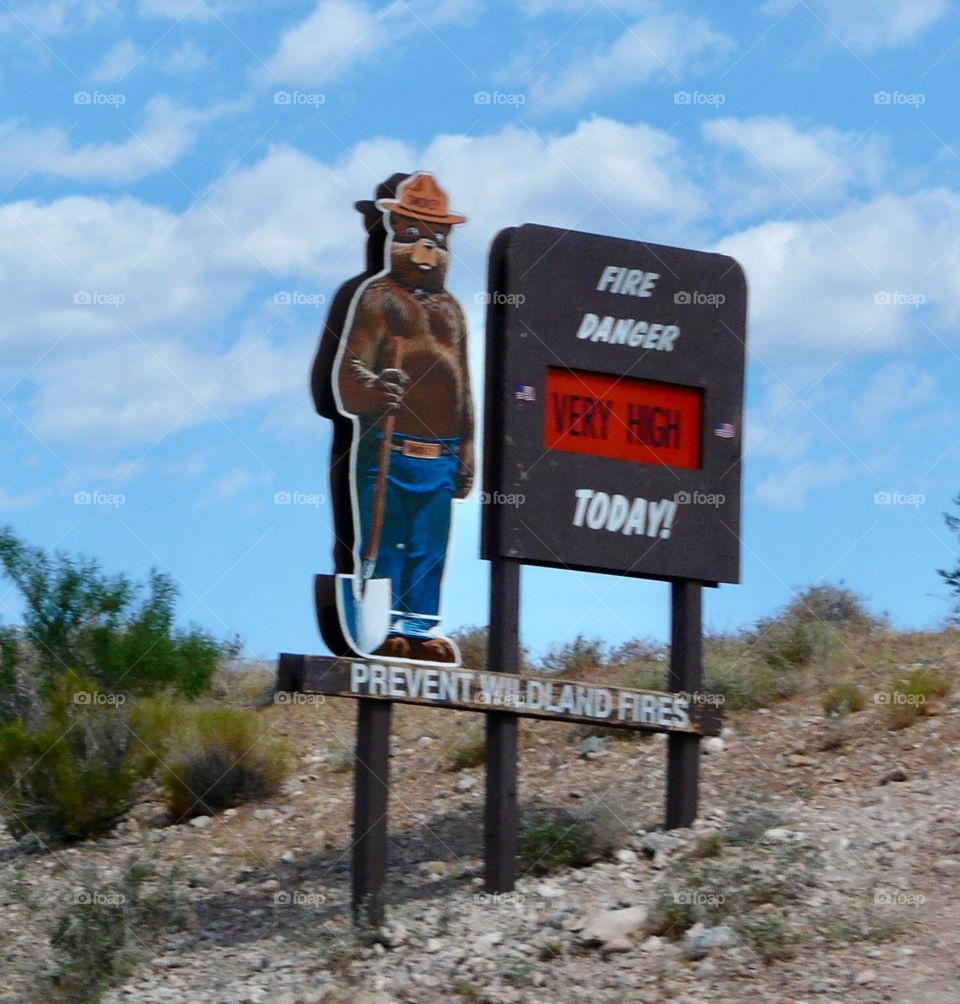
(664, 46)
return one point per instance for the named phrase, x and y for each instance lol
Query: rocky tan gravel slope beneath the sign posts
(826, 867)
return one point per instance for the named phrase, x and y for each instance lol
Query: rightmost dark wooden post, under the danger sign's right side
(686, 670)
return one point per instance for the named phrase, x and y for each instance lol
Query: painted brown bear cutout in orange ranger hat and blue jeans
(404, 354)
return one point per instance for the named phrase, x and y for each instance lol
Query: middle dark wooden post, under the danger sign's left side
(502, 821)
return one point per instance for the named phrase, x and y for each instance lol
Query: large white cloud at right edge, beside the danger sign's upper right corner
(865, 280)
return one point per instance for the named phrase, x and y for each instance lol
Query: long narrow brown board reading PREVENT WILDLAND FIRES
(461, 689)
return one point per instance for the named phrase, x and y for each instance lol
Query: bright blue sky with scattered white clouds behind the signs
(172, 169)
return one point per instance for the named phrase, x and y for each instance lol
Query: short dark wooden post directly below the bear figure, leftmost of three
(372, 788)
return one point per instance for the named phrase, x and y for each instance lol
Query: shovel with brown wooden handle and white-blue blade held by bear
(365, 603)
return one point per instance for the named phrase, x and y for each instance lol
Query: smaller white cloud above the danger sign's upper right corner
(771, 163)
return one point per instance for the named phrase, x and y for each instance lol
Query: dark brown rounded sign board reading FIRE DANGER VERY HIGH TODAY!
(614, 406)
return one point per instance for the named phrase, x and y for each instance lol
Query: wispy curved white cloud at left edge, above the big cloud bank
(167, 133)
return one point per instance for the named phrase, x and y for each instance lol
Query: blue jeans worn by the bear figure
(413, 549)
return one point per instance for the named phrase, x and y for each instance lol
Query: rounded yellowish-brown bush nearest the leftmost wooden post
(221, 758)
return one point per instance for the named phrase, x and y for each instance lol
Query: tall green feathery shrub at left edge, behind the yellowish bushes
(108, 629)
